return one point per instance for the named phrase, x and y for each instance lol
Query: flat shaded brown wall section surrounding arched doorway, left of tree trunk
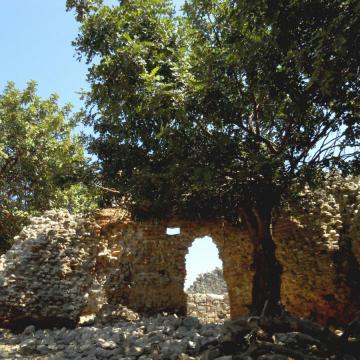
(148, 269)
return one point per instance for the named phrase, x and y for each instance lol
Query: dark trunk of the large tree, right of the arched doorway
(267, 277)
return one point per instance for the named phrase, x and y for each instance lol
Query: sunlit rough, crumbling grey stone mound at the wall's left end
(51, 262)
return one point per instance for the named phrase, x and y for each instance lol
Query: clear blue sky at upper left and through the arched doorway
(35, 38)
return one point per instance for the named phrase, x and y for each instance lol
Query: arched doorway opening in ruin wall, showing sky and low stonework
(205, 287)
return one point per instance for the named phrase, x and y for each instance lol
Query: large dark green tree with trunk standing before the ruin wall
(223, 112)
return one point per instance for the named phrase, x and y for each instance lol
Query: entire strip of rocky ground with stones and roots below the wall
(175, 338)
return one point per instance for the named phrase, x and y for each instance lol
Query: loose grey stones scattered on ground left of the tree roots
(159, 337)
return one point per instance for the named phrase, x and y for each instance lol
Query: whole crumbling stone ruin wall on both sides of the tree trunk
(62, 266)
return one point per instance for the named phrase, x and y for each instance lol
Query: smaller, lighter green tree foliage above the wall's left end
(42, 165)
